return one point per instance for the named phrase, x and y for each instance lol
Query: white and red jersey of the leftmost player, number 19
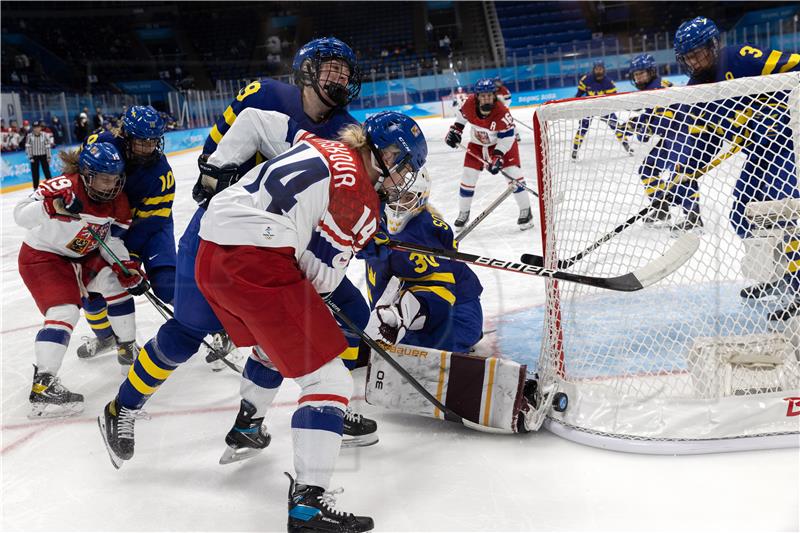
(110, 220)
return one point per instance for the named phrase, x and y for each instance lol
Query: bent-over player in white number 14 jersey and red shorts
(272, 246)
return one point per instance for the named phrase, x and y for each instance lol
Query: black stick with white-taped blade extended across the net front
(659, 268)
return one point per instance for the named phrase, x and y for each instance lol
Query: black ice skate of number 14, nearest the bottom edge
(312, 509)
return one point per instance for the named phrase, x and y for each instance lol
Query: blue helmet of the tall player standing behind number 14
(307, 67)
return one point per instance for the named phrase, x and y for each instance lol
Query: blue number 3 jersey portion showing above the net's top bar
(743, 61)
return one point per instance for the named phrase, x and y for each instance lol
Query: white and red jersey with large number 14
(316, 198)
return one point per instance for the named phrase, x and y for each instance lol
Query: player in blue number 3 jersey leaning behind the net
(770, 170)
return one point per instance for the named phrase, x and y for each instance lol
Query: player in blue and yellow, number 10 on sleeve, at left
(150, 188)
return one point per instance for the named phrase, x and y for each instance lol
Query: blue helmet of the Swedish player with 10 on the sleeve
(141, 126)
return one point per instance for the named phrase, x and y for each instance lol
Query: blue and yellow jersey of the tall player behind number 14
(271, 95)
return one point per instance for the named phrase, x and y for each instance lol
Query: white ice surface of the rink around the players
(423, 475)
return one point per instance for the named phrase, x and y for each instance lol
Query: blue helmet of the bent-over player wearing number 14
(402, 137)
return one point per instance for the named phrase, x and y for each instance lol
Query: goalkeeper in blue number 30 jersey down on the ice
(432, 306)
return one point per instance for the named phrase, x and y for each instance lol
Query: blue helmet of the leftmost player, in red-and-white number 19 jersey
(102, 170)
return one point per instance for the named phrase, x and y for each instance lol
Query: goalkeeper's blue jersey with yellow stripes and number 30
(439, 283)
